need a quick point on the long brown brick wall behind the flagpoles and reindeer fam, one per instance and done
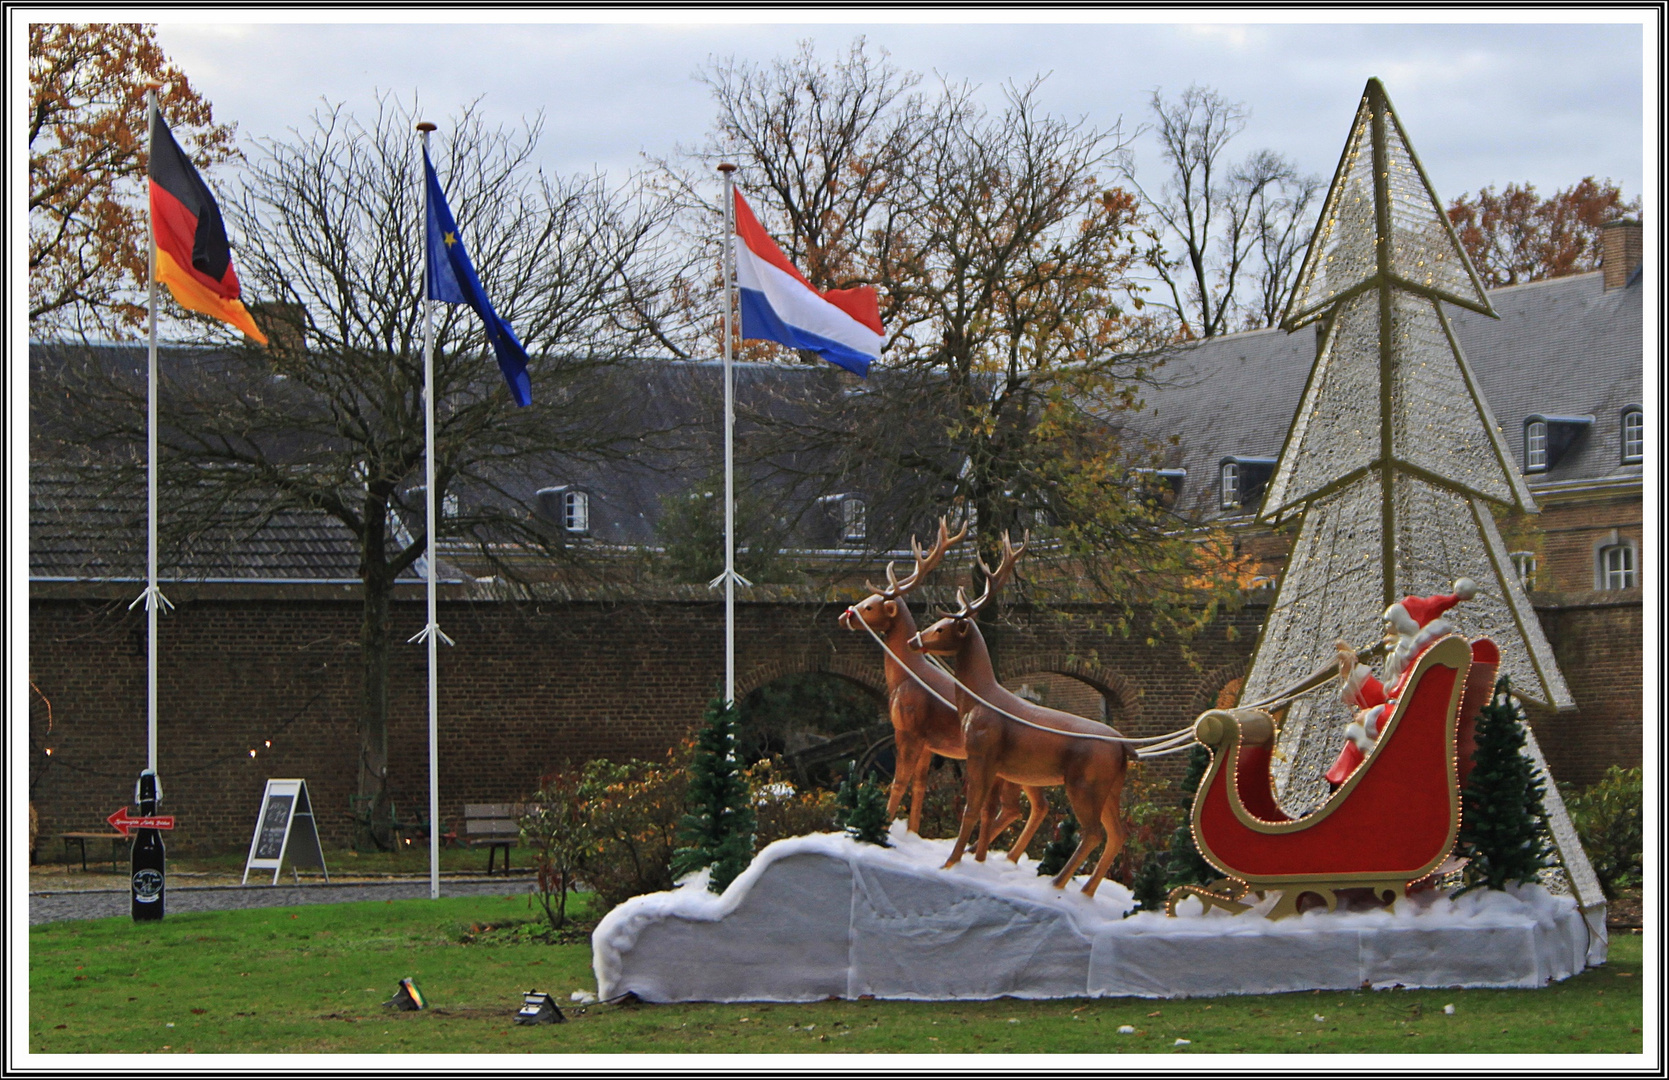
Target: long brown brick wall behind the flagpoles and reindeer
(532, 685)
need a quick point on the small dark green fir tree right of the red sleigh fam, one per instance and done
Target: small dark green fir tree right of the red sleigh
(1503, 825)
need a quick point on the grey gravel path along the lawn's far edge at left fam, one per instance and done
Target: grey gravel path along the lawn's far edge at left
(108, 904)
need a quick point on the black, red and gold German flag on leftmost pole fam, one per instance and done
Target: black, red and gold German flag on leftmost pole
(194, 258)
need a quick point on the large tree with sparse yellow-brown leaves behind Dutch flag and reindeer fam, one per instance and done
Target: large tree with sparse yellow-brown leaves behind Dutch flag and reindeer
(1017, 333)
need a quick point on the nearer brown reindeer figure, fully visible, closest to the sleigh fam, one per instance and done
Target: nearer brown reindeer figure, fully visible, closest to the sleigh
(1037, 754)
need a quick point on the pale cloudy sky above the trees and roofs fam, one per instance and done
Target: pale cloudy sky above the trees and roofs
(1485, 103)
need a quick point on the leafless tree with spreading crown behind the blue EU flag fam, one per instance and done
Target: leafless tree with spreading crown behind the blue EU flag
(331, 420)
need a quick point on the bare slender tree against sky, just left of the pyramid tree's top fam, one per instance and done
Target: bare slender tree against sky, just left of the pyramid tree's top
(1224, 223)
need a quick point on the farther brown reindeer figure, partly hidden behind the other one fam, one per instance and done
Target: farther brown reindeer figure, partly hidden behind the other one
(922, 724)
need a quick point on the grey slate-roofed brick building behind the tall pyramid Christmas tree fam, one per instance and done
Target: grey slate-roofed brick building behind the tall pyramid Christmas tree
(1563, 375)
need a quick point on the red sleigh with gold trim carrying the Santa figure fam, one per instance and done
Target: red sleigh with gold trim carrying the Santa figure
(1388, 827)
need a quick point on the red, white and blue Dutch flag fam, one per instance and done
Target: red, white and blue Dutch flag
(844, 326)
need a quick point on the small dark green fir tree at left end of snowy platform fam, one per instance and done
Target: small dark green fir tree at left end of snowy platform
(719, 829)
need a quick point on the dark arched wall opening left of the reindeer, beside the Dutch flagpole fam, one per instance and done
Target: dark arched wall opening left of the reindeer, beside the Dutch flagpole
(817, 722)
